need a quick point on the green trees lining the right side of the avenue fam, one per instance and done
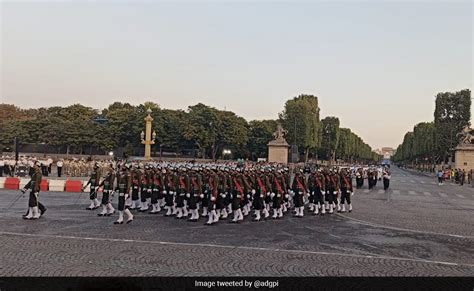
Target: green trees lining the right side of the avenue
(434, 142)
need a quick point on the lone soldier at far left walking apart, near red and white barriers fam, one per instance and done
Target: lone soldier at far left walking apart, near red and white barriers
(35, 208)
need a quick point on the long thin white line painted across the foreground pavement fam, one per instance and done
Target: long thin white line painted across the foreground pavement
(237, 247)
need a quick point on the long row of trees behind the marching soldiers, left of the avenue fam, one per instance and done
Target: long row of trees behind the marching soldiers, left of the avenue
(201, 130)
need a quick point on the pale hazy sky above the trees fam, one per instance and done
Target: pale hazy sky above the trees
(375, 65)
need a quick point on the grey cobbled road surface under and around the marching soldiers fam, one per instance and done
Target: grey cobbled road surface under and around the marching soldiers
(416, 229)
